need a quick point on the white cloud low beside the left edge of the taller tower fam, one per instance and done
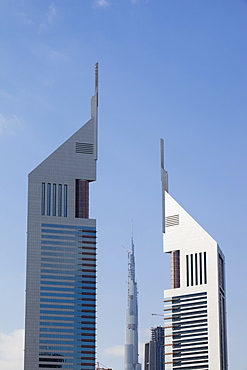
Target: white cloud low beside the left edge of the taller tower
(11, 350)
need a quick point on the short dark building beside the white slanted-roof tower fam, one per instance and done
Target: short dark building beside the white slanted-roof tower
(154, 350)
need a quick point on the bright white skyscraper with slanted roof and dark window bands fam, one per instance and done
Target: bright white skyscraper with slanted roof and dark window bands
(195, 312)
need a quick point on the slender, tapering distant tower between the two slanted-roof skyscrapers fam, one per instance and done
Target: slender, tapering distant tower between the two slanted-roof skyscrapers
(131, 345)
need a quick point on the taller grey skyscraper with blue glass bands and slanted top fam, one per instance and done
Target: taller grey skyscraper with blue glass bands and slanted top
(61, 255)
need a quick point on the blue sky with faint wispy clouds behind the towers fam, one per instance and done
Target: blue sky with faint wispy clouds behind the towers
(174, 69)
